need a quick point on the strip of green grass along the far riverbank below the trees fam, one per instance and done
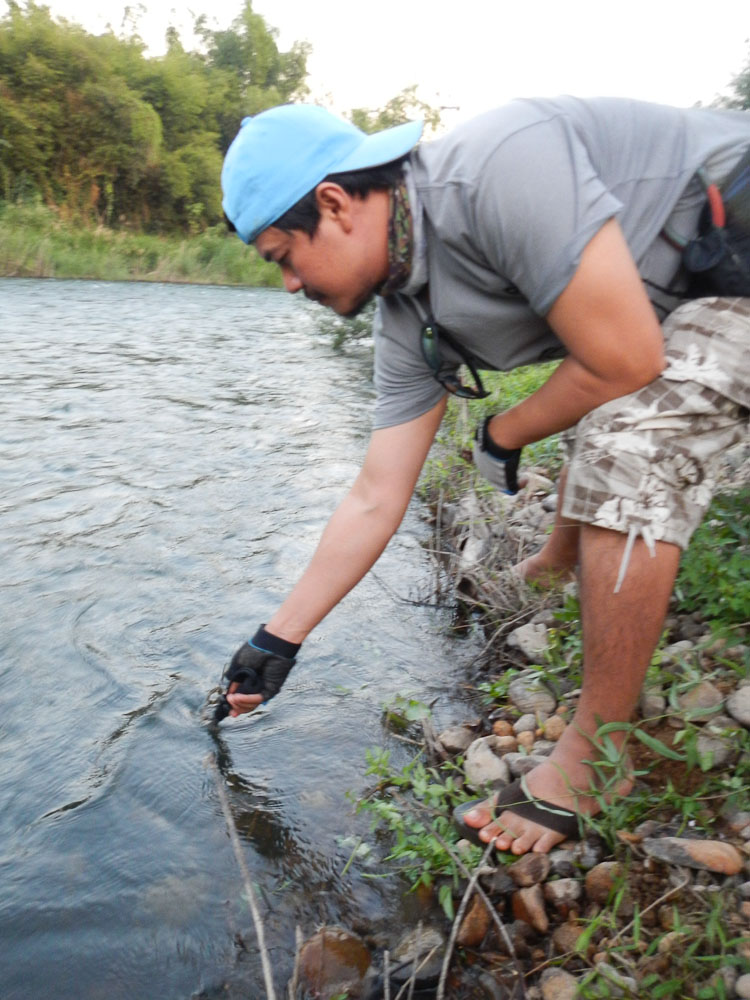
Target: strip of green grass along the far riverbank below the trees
(36, 243)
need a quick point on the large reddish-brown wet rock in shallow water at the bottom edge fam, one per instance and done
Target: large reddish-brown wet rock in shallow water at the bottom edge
(334, 961)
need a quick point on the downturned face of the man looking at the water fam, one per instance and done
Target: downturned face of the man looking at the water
(343, 264)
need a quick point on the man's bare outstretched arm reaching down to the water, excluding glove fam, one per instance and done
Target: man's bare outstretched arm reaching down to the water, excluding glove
(357, 533)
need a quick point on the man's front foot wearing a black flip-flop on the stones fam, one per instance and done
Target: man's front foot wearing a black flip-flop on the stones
(564, 781)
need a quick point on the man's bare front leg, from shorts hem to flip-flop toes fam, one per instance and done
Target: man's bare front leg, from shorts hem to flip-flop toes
(620, 633)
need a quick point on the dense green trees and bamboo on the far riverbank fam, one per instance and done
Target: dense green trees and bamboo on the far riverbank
(94, 128)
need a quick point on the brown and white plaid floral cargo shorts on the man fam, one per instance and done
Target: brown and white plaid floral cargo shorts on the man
(646, 464)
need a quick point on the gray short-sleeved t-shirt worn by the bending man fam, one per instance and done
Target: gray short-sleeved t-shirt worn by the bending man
(503, 208)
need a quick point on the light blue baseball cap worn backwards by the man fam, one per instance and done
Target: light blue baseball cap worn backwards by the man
(281, 154)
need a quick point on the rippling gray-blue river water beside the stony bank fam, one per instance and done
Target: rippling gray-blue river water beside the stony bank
(168, 457)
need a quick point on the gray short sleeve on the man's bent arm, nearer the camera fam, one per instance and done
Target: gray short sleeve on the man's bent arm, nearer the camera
(540, 201)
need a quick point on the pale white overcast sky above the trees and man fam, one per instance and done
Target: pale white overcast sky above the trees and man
(474, 54)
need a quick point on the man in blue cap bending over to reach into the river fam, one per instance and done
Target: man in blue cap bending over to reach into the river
(547, 228)
